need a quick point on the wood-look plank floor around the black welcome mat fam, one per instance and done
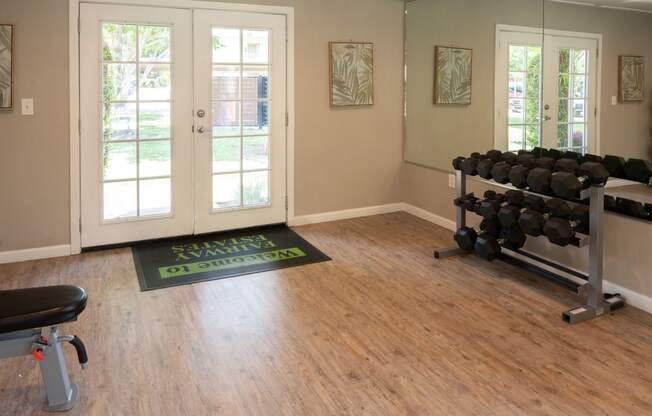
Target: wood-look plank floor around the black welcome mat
(380, 330)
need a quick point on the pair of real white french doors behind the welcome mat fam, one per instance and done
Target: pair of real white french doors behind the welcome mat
(171, 144)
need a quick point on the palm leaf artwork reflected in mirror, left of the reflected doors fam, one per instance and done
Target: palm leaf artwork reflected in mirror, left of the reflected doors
(453, 75)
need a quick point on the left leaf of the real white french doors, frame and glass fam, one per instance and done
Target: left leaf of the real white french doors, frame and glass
(136, 142)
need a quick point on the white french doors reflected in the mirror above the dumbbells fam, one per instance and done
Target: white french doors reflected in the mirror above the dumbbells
(546, 91)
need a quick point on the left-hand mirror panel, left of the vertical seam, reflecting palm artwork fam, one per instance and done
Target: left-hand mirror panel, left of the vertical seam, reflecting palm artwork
(453, 48)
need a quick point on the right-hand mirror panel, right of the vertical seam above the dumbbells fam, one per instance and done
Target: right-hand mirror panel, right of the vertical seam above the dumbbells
(598, 79)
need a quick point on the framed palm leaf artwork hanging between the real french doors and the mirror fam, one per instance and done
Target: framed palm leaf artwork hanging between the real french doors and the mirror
(352, 73)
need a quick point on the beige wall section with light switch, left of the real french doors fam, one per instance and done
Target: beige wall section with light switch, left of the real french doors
(34, 174)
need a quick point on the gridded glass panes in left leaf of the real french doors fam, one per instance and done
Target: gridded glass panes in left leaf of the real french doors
(150, 67)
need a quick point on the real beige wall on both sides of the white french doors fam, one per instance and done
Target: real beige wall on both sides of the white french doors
(345, 158)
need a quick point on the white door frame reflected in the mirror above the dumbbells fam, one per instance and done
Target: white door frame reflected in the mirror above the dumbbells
(500, 28)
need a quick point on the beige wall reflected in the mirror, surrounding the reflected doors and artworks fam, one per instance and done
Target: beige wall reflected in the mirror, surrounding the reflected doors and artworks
(436, 134)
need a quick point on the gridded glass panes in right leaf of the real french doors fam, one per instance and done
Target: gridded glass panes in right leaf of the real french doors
(241, 133)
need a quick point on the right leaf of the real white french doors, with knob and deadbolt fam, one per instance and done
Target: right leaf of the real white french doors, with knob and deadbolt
(240, 119)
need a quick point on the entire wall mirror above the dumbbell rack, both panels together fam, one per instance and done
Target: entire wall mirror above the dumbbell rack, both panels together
(515, 74)
